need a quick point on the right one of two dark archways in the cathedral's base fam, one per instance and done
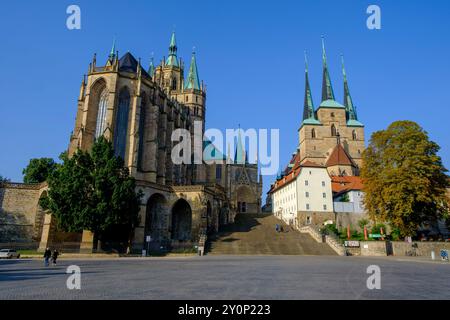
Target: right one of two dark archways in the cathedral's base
(181, 221)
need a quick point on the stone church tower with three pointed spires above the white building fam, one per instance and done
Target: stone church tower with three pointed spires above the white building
(331, 136)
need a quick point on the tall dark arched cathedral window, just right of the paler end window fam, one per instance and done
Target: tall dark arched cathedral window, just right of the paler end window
(121, 126)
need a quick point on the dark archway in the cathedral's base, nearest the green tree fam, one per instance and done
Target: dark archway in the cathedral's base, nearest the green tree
(154, 216)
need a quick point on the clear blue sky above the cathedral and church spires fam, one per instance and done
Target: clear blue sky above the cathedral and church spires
(250, 54)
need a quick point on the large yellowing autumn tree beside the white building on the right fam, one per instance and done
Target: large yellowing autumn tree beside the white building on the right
(404, 179)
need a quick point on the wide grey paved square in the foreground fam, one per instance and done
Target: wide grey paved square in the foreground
(227, 277)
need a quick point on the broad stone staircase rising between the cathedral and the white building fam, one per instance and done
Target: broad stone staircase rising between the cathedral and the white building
(254, 234)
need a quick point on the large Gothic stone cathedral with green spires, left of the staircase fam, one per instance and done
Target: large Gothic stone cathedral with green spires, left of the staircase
(137, 109)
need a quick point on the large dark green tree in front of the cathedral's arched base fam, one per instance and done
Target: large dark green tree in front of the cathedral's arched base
(93, 191)
